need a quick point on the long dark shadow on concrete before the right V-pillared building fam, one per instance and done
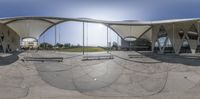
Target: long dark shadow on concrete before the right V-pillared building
(186, 59)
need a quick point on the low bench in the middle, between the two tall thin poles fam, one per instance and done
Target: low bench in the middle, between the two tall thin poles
(97, 57)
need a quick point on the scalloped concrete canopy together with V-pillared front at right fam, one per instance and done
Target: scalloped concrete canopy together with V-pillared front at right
(149, 30)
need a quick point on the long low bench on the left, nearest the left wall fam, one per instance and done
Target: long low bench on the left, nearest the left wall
(42, 59)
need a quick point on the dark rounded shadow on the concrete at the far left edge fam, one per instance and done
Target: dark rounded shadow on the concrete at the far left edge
(6, 60)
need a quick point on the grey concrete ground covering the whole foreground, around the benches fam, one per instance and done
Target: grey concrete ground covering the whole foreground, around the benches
(130, 75)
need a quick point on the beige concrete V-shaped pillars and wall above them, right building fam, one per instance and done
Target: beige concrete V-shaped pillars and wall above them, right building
(173, 30)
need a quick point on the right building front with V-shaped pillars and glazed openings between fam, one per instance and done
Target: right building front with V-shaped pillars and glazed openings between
(181, 37)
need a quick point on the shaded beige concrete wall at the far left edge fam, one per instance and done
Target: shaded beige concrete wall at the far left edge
(9, 39)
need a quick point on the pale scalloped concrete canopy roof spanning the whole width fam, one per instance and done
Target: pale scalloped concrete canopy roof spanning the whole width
(36, 26)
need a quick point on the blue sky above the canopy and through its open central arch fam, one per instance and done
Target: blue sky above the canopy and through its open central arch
(98, 9)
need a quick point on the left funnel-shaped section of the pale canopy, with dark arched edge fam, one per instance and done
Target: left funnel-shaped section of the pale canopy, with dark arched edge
(30, 26)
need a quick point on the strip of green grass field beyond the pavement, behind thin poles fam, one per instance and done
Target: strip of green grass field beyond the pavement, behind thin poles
(89, 49)
